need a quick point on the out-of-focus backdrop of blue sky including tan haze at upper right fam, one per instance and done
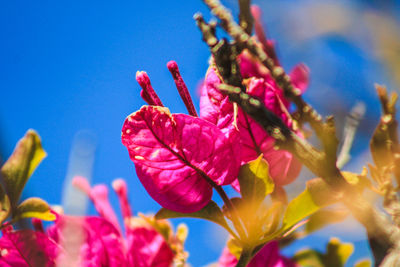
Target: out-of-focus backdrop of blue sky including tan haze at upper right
(67, 70)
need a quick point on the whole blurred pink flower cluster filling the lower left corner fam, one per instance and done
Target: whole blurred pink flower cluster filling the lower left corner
(93, 241)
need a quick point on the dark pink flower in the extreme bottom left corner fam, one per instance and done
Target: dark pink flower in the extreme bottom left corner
(26, 248)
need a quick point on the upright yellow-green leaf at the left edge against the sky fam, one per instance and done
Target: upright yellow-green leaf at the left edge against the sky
(19, 167)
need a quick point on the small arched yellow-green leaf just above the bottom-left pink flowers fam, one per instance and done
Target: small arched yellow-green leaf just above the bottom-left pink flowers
(34, 208)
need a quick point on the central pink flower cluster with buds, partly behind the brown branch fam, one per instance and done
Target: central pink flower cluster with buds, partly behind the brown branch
(179, 157)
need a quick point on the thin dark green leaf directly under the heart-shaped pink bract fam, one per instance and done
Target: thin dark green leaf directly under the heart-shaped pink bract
(210, 212)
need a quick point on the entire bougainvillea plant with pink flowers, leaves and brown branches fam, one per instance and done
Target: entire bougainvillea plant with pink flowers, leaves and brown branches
(249, 134)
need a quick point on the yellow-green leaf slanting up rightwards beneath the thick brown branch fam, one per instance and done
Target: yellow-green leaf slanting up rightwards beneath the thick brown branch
(317, 195)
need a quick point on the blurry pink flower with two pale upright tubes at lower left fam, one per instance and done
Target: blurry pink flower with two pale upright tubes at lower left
(103, 243)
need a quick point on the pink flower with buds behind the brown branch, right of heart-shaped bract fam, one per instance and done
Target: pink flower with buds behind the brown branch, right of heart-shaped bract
(216, 108)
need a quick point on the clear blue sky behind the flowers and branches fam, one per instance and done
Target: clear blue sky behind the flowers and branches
(69, 66)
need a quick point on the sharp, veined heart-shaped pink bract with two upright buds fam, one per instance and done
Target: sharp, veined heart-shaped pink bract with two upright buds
(178, 157)
